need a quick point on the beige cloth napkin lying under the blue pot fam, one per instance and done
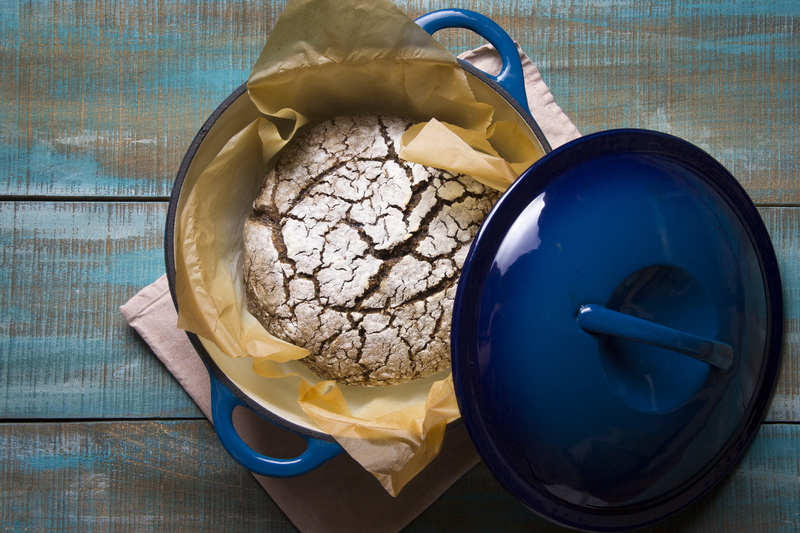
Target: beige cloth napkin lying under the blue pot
(340, 496)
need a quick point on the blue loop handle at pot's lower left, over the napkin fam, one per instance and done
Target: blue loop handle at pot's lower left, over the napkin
(223, 401)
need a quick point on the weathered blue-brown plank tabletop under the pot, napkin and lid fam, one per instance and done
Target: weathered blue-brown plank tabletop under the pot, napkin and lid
(99, 102)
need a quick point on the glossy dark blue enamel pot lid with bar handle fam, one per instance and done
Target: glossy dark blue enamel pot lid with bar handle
(617, 330)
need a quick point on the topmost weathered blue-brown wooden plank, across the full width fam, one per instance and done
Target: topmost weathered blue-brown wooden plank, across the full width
(103, 98)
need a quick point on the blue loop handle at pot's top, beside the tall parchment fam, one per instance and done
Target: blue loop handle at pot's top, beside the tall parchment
(511, 78)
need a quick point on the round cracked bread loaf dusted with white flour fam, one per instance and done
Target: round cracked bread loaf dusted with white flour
(354, 254)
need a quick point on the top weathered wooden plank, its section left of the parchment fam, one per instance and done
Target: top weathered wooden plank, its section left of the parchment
(103, 98)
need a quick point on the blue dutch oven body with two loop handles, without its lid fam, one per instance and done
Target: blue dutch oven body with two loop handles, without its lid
(233, 383)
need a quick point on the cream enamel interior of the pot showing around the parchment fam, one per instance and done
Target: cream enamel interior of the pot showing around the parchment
(276, 399)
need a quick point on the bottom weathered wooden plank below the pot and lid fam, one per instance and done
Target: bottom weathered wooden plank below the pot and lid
(174, 476)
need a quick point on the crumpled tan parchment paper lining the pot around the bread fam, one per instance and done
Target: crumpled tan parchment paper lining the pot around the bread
(325, 59)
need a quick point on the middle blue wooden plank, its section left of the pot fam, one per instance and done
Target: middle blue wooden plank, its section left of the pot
(65, 350)
